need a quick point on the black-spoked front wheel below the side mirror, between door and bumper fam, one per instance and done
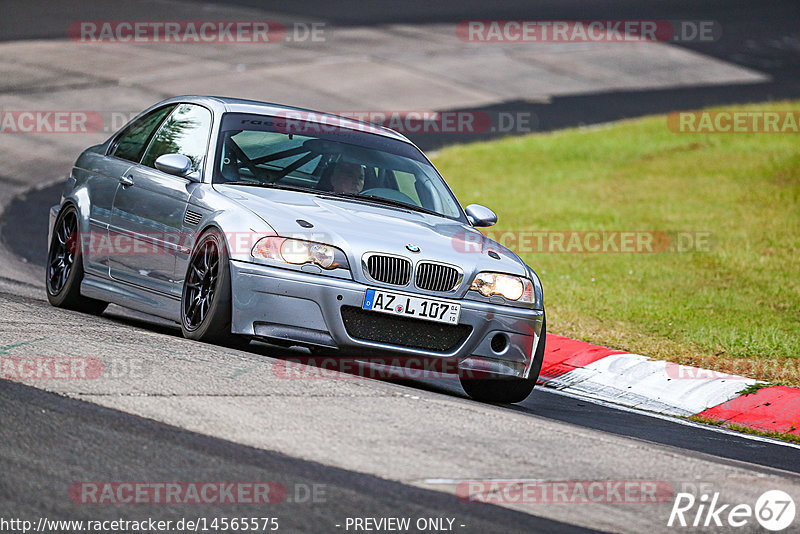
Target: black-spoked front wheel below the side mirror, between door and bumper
(206, 296)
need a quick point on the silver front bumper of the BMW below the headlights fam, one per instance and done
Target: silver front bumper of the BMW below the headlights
(298, 308)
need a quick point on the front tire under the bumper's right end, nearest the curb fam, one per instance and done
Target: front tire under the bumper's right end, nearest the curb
(483, 388)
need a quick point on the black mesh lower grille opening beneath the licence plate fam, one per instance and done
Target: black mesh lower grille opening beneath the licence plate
(402, 331)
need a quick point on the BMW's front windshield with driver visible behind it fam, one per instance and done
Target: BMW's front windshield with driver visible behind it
(265, 151)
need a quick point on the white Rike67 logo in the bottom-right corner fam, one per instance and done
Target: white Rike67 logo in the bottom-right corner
(774, 510)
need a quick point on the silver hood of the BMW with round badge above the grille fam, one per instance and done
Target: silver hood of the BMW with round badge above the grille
(358, 227)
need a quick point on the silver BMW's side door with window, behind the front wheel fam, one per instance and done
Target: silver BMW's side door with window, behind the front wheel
(148, 210)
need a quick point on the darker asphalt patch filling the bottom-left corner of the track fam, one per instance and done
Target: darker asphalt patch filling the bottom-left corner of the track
(92, 441)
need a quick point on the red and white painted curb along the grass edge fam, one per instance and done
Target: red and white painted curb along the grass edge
(632, 380)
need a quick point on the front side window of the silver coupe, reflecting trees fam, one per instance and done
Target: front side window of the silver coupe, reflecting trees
(185, 132)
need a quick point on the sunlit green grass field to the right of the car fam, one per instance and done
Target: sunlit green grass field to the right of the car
(735, 308)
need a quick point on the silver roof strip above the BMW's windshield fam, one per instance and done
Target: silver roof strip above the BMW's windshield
(241, 105)
